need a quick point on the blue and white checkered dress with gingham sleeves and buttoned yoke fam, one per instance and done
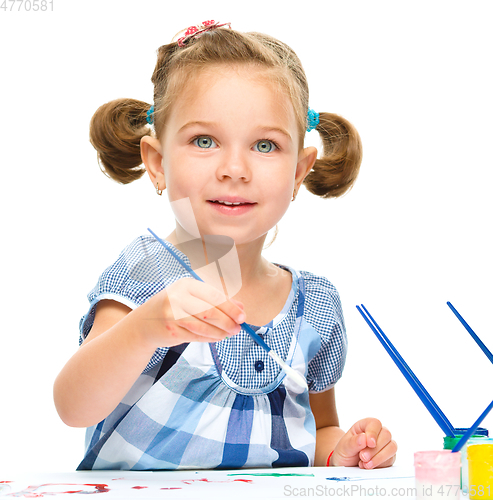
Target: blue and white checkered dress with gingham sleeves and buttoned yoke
(220, 405)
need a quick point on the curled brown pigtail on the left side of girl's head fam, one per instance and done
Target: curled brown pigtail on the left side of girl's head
(115, 132)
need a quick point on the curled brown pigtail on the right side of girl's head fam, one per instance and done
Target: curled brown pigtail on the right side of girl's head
(334, 174)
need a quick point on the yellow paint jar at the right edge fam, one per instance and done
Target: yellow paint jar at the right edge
(480, 459)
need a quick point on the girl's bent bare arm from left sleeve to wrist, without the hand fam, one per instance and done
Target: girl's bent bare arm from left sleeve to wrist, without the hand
(100, 373)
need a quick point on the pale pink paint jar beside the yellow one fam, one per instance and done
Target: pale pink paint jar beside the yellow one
(437, 474)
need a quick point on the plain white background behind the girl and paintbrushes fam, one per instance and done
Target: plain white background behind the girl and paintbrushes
(414, 78)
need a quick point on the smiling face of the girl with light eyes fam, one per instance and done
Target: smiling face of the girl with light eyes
(231, 136)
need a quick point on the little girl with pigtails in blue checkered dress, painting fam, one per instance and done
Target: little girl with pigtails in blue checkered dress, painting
(161, 390)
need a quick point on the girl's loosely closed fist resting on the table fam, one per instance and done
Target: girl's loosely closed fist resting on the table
(367, 444)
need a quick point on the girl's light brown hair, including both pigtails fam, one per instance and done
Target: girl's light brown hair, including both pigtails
(118, 126)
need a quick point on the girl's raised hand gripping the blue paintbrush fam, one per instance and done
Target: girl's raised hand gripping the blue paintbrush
(189, 311)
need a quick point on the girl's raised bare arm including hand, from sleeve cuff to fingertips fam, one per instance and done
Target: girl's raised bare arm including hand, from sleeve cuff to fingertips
(121, 342)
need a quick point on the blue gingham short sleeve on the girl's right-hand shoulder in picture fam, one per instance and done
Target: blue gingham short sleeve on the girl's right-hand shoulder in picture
(323, 311)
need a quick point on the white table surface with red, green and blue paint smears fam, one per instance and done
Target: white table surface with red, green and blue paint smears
(310, 482)
